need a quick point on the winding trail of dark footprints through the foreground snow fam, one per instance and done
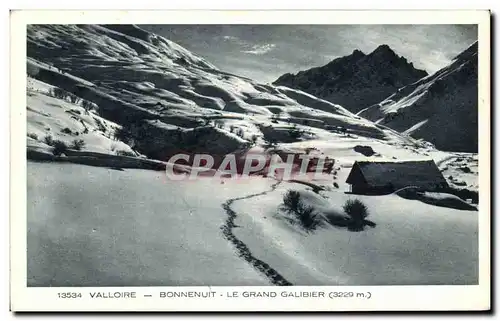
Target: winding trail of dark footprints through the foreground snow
(241, 248)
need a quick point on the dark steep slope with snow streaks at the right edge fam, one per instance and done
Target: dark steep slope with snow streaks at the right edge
(441, 108)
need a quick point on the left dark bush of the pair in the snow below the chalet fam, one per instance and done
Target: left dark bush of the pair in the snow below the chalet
(302, 213)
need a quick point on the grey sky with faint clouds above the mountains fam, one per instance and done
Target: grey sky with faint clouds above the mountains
(265, 52)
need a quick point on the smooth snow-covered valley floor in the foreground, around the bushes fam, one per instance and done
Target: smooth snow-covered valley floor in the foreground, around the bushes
(92, 226)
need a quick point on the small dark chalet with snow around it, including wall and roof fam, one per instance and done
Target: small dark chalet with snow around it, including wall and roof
(387, 177)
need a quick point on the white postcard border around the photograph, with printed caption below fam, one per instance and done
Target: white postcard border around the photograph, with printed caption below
(383, 298)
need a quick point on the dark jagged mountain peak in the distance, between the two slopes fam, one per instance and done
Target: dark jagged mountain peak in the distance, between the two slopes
(357, 80)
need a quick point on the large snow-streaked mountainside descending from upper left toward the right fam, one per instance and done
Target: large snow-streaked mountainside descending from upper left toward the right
(166, 97)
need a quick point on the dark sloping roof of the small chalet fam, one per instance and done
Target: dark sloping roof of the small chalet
(399, 174)
